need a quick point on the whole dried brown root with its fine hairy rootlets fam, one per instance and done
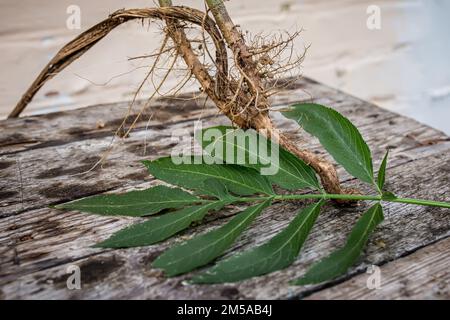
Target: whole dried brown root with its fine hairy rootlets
(237, 73)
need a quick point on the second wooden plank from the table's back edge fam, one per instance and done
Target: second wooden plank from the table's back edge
(34, 178)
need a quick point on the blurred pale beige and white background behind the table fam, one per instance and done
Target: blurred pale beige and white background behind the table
(403, 65)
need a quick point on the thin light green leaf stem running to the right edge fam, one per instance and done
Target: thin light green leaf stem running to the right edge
(327, 196)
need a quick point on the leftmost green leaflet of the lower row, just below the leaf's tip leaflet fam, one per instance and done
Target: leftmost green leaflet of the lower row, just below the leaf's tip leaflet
(159, 228)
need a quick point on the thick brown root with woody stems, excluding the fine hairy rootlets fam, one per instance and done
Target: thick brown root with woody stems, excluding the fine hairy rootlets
(247, 108)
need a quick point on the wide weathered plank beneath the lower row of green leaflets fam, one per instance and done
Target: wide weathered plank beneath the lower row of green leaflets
(42, 243)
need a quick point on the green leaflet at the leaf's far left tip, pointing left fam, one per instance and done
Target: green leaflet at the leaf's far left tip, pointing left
(133, 203)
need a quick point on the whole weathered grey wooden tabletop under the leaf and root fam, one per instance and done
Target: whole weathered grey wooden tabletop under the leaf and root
(47, 160)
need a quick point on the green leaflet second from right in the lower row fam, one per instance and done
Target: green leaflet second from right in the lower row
(278, 253)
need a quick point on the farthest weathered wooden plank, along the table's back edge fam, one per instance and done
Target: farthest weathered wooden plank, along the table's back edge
(102, 120)
